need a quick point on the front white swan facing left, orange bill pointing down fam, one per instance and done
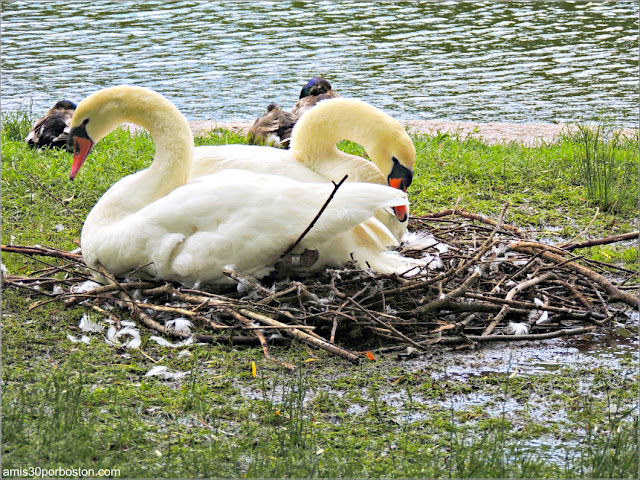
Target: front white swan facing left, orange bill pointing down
(159, 223)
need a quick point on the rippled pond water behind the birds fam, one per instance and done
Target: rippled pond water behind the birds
(225, 60)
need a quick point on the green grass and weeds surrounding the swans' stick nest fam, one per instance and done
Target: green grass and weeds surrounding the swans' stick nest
(69, 404)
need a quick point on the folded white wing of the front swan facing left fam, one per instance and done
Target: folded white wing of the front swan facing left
(232, 218)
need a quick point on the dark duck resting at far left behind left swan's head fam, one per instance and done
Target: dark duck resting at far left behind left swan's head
(52, 130)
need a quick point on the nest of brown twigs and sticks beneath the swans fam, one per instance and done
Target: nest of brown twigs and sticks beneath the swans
(493, 283)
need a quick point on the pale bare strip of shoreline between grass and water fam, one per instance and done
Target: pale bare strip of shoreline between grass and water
(528, 134)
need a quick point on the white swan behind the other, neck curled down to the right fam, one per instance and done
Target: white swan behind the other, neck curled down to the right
(314, 157)
